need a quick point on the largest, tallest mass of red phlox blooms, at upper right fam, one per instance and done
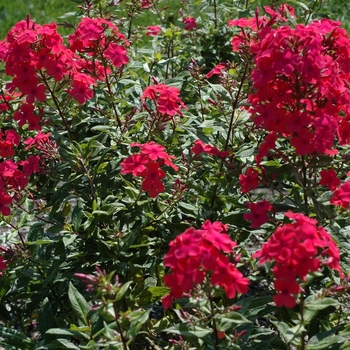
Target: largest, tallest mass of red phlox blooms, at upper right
(301, 77)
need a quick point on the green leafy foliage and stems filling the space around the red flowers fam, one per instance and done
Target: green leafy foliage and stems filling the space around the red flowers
(85, 243)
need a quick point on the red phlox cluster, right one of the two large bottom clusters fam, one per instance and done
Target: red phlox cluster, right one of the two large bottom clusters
(298, 249)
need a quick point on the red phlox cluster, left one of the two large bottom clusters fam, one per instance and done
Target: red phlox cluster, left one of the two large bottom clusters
(195, 253)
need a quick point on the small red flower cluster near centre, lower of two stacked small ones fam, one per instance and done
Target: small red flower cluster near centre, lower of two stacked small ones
(147, 165)
